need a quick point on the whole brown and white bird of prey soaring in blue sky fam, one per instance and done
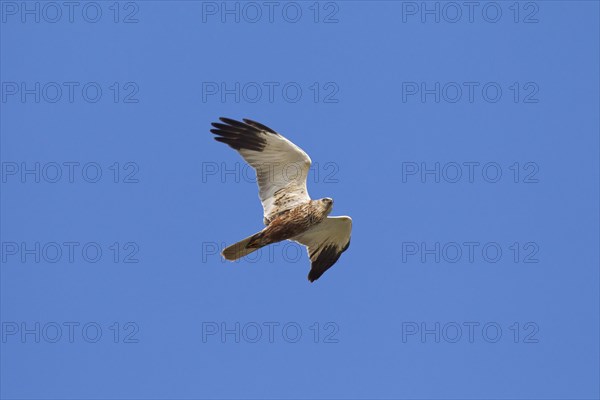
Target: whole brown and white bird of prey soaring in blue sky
(289, 213)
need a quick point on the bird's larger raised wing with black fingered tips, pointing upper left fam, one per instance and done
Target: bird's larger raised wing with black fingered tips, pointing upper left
(281, 166)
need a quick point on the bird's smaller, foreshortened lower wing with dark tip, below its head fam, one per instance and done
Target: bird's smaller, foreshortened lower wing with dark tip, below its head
(325, 243)
